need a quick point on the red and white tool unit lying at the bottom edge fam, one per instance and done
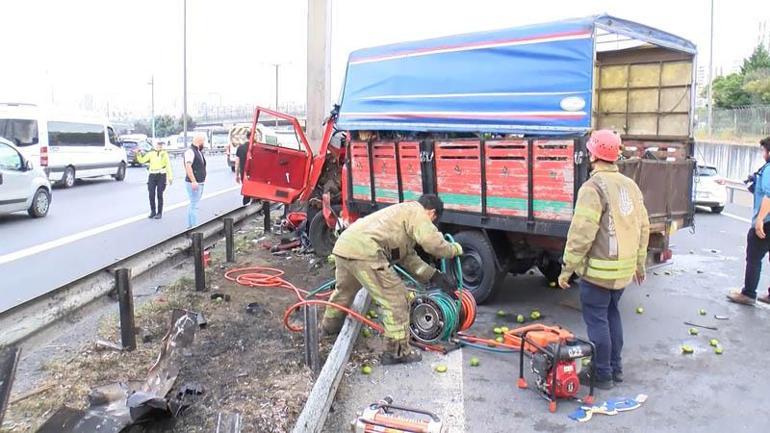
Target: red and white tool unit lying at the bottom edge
(384, 416)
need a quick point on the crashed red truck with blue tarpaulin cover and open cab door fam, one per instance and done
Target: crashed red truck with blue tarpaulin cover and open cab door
(495, 123)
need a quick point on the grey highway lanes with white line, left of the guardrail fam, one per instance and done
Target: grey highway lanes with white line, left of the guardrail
(97, 223)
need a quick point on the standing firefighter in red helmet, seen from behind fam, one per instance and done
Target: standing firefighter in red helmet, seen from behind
(607, 248)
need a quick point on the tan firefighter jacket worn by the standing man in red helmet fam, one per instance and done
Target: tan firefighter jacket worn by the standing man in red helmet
(607, 240)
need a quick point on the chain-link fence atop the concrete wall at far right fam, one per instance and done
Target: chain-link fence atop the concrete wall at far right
(737, 124)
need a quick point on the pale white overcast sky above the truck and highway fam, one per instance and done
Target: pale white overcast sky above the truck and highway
(98, 53)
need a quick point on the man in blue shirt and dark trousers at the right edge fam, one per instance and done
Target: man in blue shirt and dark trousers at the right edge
(757, 242)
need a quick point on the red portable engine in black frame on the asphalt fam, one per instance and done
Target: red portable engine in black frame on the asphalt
(554, 352)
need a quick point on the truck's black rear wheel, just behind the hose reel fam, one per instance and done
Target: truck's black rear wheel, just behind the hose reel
(480, 274)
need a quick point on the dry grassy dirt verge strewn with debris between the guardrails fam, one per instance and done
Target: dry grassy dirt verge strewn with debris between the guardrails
(248, 363)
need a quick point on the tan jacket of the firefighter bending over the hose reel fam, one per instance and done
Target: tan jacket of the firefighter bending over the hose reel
(390, 235)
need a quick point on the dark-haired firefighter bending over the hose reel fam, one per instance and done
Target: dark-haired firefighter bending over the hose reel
(364, 255)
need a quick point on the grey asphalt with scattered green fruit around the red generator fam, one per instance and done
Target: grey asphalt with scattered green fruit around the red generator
(702, 392)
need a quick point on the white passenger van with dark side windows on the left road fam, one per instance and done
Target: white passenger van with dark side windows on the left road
(67, 147)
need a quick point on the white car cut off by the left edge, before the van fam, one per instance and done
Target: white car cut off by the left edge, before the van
(23, 186)
